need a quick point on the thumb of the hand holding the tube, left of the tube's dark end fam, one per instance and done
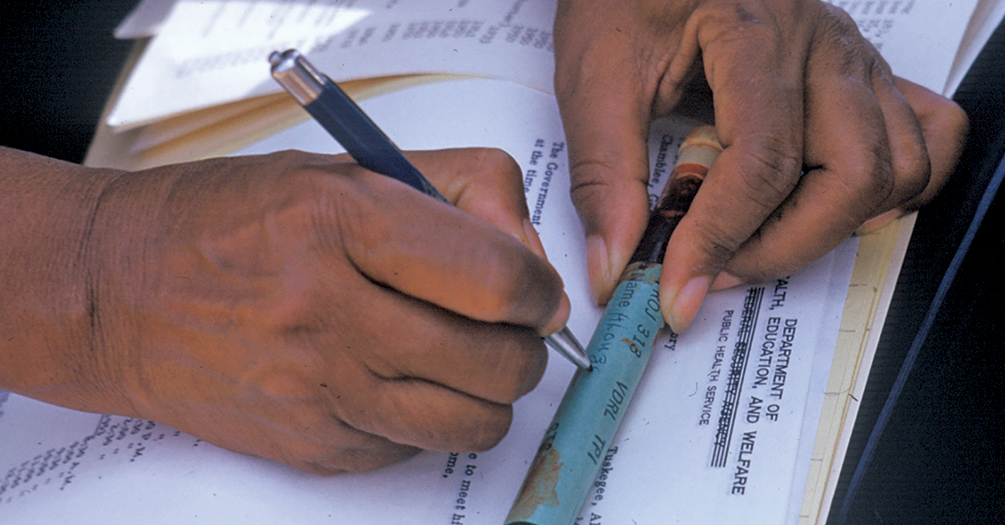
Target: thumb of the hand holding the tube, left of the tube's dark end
(607, 119)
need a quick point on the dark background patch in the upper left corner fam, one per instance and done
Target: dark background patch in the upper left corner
(60, 64)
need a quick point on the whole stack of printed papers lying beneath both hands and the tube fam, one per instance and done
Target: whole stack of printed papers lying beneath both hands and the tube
(199, 86)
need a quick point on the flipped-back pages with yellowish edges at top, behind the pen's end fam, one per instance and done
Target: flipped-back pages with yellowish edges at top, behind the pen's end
(200, 88)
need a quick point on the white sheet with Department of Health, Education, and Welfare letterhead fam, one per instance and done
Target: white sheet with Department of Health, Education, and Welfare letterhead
(59, 466)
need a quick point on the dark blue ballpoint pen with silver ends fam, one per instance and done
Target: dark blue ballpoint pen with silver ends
(371, 148)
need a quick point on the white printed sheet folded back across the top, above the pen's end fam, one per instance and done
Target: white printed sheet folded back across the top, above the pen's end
(212, 53)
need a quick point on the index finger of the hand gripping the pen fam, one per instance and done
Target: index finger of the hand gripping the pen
(447, 257)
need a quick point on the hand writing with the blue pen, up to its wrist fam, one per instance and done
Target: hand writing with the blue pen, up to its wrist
(309, 311)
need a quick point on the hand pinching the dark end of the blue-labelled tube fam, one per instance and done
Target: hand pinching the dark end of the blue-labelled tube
(822, 140)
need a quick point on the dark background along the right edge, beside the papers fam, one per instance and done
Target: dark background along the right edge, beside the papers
(939, 458)
